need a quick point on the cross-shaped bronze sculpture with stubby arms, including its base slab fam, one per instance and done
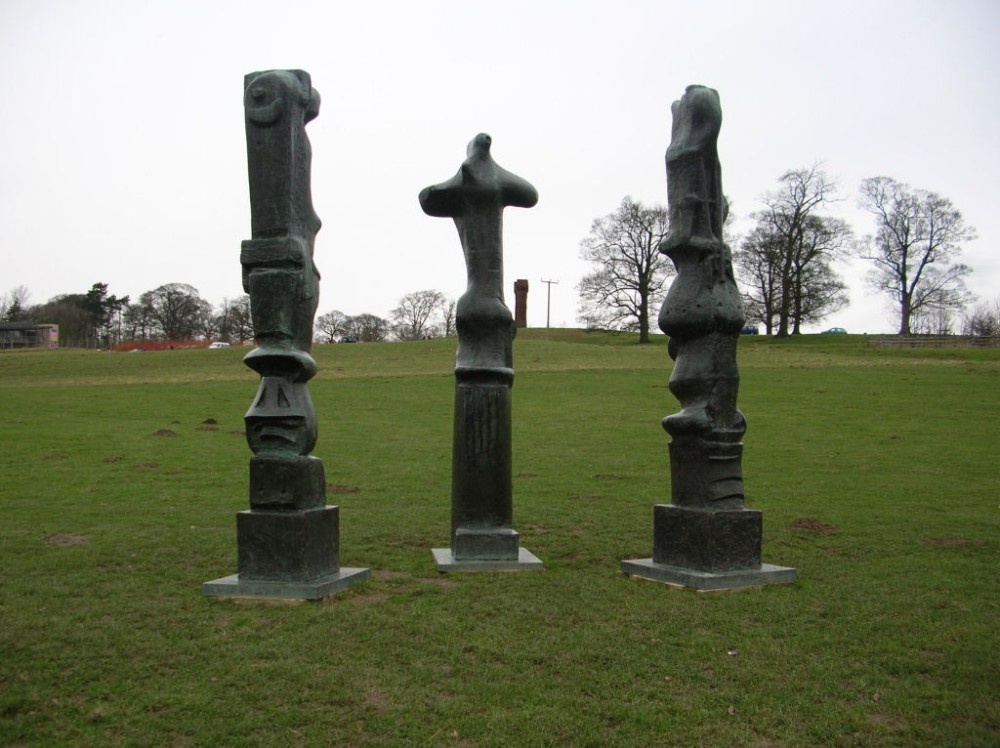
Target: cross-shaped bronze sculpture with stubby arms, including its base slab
(482, 534)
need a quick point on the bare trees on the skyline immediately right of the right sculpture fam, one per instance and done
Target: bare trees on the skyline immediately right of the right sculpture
(785, 261)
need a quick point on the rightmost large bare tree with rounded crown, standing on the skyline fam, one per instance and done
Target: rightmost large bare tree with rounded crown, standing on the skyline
(917, 238)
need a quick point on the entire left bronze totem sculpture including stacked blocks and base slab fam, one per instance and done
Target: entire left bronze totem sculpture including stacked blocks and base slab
(289, 540)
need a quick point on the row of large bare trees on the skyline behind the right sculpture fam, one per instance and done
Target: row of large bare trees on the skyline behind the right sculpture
(786, 264)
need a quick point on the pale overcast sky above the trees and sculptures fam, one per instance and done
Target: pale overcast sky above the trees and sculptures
(123, 150)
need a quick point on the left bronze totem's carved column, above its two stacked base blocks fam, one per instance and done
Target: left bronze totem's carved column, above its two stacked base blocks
(278, 269)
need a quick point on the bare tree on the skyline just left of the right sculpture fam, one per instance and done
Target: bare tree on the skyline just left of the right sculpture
(631, 273)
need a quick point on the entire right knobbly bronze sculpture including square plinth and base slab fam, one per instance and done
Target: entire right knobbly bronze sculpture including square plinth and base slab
(705, 538)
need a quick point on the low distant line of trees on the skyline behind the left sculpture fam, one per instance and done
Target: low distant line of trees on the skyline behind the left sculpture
(177, 312)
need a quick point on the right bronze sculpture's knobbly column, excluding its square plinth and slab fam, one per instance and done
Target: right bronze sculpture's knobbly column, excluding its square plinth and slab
(702, 314)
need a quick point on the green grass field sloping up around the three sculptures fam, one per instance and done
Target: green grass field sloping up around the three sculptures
(876, 471)
